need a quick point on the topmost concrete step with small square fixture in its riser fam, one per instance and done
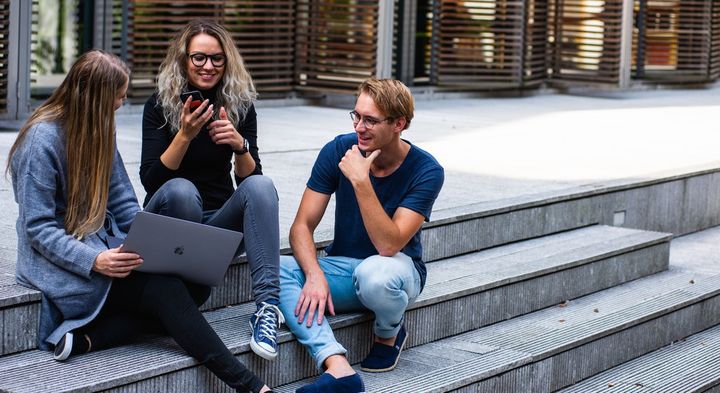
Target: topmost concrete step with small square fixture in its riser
(676, 202)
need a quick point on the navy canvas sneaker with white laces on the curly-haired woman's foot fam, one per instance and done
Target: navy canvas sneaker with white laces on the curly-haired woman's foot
(264, 325)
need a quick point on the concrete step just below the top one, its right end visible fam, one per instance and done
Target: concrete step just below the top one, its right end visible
(503, 282)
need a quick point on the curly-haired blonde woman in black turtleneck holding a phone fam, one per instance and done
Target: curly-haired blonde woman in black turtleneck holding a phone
(193, 148)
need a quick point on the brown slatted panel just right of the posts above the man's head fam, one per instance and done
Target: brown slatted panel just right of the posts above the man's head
(480, 43)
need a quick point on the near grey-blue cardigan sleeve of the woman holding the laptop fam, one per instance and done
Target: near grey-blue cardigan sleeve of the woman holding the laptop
(37, 181)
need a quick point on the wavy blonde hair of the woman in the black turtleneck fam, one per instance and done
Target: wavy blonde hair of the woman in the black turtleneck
(236, 92)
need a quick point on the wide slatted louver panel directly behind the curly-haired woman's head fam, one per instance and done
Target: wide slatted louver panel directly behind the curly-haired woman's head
(262, 30)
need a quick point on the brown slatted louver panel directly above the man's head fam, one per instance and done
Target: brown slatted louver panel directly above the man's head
(336, 43)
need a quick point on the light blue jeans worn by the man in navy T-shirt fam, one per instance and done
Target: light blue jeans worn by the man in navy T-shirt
(384, 285)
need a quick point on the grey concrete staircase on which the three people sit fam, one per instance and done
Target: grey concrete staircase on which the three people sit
(533, 294)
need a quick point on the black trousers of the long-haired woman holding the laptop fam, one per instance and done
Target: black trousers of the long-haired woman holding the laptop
(158, 303)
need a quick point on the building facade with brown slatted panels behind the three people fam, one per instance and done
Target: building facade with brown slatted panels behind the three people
(308, 47)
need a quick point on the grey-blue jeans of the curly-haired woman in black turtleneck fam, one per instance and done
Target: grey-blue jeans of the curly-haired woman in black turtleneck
(252, 209)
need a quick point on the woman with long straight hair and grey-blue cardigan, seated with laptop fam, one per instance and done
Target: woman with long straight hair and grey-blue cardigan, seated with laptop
(76, 203)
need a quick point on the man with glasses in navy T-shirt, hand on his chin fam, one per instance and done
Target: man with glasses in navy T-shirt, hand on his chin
(384, 190)
